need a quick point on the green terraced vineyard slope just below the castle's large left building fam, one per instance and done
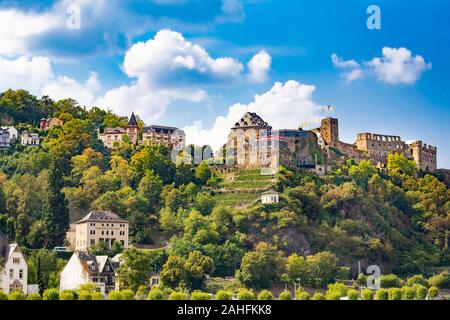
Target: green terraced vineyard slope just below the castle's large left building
(241, 188)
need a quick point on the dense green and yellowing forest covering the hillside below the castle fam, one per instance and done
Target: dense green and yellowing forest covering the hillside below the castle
(398, 218)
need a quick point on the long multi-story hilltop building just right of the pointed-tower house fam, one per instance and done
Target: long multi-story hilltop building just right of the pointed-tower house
(162, 135)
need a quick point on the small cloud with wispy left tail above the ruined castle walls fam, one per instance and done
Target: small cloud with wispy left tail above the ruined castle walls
(396, 66)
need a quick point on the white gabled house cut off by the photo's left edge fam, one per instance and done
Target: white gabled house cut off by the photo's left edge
(14, 275)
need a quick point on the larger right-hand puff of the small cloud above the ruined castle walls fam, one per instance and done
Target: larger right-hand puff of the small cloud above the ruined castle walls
(399, 66)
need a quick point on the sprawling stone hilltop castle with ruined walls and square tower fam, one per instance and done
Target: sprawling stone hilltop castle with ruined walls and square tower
(253, 143)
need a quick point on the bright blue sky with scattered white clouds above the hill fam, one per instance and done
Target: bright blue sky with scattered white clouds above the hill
(398, 91)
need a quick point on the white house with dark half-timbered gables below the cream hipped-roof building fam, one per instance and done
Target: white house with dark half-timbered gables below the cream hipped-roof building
(84, 268)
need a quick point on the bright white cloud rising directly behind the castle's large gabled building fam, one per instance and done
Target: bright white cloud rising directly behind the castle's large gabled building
(283, 106)
